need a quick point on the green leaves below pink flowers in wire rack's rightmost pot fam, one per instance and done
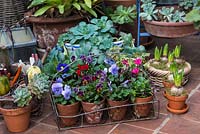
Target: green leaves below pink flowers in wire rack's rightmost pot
(140, 87)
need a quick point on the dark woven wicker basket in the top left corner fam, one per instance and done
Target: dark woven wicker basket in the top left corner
(11, 11)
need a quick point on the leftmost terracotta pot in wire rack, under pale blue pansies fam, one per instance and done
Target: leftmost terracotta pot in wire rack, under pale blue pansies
(69, 110)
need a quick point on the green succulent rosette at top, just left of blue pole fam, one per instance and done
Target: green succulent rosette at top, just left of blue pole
(124, 15)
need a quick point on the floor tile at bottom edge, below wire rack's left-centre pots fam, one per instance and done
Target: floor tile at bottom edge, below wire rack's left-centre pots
(96, 130)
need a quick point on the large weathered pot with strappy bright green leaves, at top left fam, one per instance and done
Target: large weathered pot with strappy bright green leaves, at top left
(51, 18)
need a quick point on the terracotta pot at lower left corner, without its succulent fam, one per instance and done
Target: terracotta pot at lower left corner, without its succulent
(17, 120)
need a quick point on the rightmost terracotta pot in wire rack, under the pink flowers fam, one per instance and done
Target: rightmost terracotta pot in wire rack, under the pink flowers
(143, 110)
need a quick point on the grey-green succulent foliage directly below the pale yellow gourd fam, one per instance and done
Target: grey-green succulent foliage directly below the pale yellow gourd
(39, 85)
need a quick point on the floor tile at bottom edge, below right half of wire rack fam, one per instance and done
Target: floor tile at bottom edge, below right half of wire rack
(127, 129)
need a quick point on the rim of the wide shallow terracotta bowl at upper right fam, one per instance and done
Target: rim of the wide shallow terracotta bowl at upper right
(166, 24)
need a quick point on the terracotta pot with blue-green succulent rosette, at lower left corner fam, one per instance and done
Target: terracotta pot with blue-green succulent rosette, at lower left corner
(16, 113)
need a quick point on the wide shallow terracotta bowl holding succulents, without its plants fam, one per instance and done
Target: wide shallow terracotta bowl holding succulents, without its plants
(169, 29)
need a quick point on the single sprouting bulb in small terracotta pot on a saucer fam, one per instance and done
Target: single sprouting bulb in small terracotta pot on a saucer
(177, 95)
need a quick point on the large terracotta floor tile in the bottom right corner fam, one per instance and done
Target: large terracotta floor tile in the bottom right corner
(177, 125)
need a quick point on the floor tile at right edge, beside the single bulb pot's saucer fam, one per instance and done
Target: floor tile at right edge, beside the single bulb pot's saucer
(193, 113)
